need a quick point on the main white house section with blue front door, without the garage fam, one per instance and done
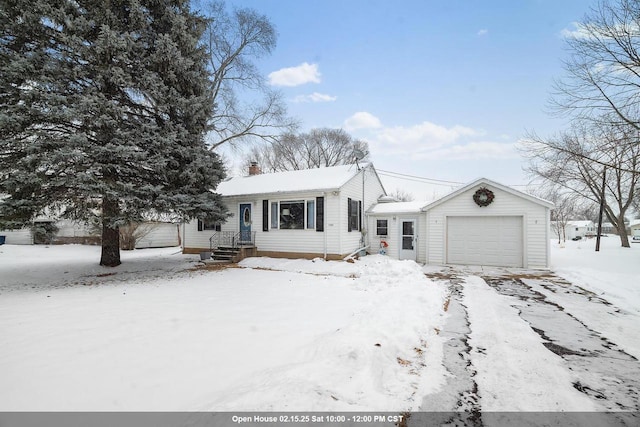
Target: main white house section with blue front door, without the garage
(301, 214)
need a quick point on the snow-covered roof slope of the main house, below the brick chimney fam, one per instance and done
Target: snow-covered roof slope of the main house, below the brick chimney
(331, 178)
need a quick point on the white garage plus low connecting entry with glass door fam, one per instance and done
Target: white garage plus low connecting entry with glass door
(481, 223)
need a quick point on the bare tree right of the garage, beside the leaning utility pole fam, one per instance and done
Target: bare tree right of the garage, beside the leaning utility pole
(574, 160)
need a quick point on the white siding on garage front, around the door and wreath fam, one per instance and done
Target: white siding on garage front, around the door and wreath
(535, 223)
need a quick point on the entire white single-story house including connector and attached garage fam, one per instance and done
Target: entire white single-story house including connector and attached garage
(321, 213)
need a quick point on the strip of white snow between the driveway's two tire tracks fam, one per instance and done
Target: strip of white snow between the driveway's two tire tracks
(530, 378)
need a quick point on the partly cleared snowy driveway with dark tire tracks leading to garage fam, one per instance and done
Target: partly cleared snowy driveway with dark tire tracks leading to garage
(605, 373)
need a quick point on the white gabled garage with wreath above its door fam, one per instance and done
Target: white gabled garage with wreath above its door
(487, 223)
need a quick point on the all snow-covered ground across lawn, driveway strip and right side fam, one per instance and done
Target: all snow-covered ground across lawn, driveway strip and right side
(158, 333)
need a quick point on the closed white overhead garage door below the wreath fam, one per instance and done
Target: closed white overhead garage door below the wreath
(485, 240)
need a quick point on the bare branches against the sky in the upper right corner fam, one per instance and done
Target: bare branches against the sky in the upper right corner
(603, 70)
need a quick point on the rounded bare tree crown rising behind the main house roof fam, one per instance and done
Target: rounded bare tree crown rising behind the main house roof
(314, 149)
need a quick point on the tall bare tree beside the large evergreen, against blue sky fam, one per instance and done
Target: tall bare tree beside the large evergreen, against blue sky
(234, 40)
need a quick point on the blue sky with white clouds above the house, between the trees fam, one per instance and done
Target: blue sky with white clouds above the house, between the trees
(439, 89)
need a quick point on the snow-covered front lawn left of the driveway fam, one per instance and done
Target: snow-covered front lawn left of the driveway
(156, 334)
